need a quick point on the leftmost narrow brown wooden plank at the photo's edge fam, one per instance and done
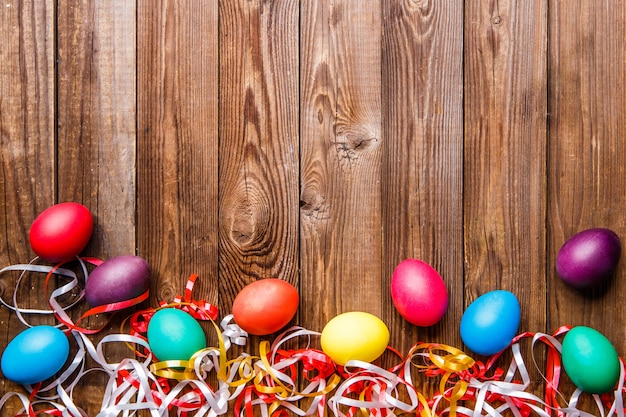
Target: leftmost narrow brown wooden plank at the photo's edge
(27, 180)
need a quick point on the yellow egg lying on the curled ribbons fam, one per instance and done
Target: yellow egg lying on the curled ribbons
(354, 336)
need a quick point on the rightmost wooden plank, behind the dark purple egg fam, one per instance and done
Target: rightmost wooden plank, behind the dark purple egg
(587, 106)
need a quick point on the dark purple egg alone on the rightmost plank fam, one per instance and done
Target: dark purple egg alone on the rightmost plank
(589, 257)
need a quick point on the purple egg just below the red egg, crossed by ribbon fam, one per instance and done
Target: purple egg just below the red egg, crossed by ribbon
(118, 279)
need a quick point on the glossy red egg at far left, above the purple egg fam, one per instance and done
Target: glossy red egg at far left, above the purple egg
(61, 232)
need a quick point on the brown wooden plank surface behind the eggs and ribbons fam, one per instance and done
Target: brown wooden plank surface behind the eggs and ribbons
(320, 142)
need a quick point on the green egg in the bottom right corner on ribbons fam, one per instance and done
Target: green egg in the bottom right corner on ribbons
(590, 360)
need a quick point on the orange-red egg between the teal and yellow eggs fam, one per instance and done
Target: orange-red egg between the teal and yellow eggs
(265, 306)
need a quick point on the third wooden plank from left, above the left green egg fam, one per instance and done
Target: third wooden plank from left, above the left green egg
(177, 145)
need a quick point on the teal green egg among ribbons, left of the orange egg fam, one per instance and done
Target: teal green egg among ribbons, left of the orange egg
(175, 335)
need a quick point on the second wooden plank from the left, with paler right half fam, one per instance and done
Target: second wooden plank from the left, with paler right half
(96, 141)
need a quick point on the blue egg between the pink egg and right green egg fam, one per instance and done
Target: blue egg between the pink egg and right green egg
(490, 323)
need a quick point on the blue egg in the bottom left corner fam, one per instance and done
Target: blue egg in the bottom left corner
(35, 355)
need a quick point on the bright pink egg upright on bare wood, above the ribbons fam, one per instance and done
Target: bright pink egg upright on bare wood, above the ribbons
(418, 293)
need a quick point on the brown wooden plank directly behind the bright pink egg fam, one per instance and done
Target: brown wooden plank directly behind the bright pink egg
(423, 157)
